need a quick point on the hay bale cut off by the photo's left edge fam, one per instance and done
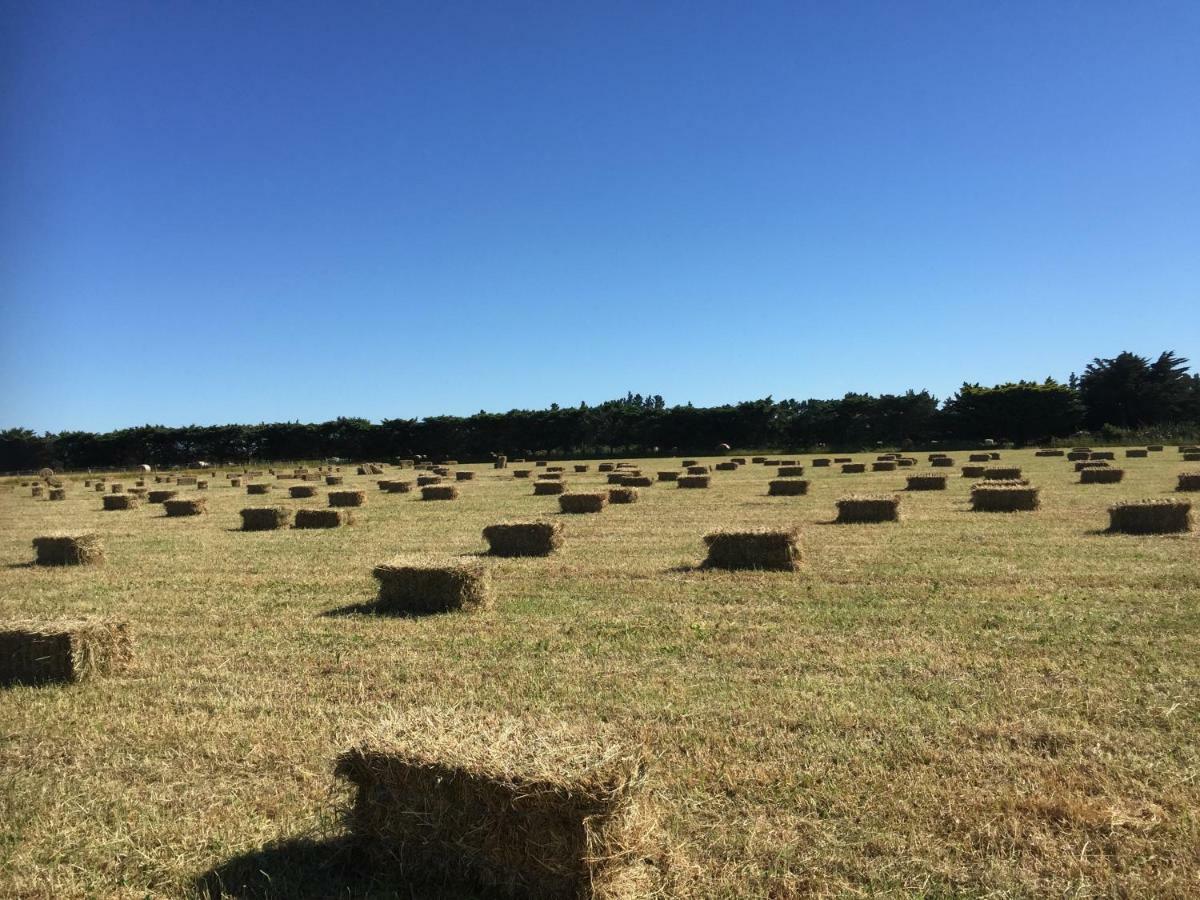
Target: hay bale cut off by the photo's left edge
(37, 652)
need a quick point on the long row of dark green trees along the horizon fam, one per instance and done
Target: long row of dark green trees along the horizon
(1114, 395)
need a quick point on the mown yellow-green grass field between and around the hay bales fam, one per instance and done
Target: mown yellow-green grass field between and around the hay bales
(959, 705)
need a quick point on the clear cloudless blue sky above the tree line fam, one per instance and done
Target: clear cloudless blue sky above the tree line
(247, 212)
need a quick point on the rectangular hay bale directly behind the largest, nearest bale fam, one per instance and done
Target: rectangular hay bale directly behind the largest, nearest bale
(427, 585)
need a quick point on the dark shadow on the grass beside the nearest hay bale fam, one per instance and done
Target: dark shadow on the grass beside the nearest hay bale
(308, 869)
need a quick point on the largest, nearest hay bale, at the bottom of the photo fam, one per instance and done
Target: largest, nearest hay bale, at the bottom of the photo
(523, 808)
